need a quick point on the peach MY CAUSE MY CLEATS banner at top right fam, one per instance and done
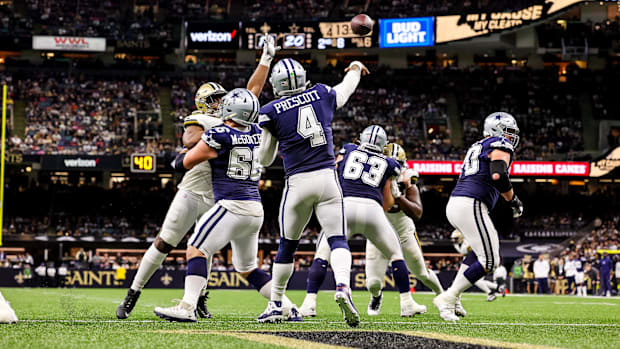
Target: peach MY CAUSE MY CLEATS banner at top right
(469, 25)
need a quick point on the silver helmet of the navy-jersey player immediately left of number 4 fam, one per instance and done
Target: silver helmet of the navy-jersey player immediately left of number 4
(239, 105)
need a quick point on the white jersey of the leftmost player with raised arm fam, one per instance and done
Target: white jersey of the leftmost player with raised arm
(198, 179)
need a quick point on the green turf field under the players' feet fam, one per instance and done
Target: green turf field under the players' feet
(62, 318)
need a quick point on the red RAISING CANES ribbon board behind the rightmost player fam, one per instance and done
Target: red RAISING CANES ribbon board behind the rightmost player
(519, 168)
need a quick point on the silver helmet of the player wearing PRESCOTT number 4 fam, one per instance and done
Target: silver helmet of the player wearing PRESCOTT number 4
(288, 77)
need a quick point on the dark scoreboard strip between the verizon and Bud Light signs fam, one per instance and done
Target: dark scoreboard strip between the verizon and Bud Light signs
(306, 35)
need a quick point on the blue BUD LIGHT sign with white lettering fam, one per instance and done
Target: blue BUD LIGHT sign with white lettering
(406, 32)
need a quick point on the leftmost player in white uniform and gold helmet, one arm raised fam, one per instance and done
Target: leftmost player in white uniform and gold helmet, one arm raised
(195, 194)
